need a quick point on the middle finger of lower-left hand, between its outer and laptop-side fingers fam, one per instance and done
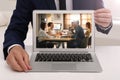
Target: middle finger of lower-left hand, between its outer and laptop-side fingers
(20, 61)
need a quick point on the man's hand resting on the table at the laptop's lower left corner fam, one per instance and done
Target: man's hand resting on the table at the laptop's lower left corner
(18, 59)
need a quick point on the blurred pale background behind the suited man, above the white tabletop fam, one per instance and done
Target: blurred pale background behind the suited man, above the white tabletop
(7, 7)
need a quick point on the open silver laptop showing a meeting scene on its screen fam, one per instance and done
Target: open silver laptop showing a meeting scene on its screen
(66, 51)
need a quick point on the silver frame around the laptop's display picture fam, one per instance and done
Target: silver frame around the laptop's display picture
(36, 12)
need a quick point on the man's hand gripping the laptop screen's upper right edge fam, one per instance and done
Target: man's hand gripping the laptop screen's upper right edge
(103, 17)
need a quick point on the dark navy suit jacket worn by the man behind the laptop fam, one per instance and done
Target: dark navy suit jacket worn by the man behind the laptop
(22, 15)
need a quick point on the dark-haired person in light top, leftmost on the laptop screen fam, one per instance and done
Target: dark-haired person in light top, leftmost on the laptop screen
(42, 34)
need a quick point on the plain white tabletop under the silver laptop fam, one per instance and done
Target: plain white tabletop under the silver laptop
(109, 57)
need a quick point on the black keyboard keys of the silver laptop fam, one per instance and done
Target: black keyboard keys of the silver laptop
(47, 57)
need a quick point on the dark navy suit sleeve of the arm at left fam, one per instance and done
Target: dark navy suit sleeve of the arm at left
(18, 27)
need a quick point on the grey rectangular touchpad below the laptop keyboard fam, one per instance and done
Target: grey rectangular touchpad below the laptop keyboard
(64, 66)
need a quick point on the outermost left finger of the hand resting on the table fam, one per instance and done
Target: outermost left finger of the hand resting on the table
(13, 63)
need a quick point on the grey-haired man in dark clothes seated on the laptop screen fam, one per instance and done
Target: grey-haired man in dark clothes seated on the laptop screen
(78, 36)
